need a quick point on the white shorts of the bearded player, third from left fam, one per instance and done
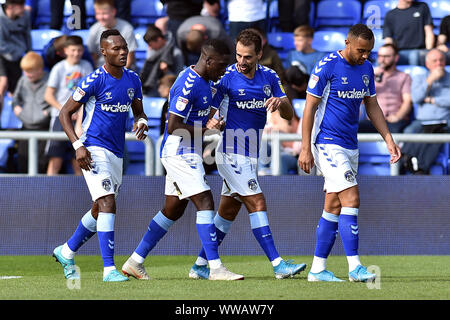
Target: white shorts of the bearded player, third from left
(239, 174)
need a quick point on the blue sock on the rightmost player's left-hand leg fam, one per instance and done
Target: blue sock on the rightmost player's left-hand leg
(326, 234)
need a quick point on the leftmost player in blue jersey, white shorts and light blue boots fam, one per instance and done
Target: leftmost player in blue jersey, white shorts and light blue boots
(107, 95)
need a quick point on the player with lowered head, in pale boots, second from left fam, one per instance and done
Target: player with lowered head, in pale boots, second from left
(189, 117)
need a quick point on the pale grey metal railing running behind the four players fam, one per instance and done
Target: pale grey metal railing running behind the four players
(153, 164)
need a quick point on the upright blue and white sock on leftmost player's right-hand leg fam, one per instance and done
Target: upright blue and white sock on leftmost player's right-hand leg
(105, 233)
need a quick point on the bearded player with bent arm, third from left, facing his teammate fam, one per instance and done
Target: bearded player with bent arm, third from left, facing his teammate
(250, 90)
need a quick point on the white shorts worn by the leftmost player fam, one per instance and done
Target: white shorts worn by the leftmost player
(105, 177)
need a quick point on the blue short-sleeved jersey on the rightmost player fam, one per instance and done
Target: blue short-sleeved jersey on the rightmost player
(342, 87)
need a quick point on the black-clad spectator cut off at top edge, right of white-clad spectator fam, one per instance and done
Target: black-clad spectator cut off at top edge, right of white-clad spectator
(293, 14)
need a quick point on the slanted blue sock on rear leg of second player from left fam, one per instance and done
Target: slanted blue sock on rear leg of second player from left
(157, 228)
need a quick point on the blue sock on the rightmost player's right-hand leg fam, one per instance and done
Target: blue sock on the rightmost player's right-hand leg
(348, 229)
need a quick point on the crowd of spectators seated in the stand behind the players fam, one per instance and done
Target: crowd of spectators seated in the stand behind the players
(39, 84)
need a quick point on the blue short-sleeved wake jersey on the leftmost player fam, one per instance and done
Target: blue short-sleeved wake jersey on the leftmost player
(107, 102)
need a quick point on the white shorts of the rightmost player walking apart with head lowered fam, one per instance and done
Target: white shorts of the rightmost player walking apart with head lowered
(339, 166)
